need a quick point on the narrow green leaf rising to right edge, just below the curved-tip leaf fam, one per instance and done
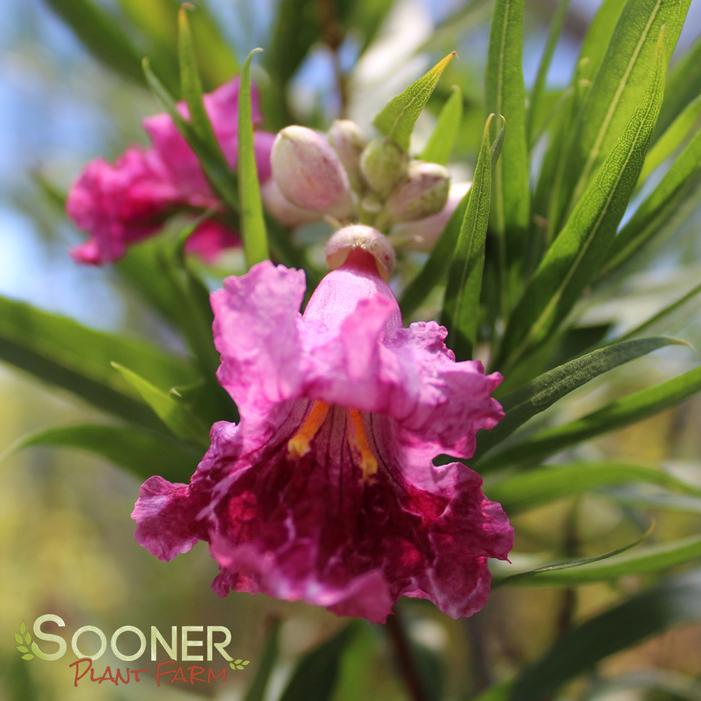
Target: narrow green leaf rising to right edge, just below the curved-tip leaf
(627, 410)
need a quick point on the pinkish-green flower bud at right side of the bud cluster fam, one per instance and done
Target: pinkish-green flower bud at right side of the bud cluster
(424, 192)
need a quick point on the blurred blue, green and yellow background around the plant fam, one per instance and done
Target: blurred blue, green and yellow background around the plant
(68, 95)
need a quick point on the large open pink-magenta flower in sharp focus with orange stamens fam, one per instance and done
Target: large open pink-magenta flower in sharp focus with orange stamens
(325, 491)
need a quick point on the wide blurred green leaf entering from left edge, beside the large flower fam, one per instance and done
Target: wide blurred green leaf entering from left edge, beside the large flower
(60, 351)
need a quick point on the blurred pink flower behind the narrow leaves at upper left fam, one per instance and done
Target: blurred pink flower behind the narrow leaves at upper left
(121, 204)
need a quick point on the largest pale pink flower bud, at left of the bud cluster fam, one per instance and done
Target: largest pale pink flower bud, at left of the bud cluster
(309, 173)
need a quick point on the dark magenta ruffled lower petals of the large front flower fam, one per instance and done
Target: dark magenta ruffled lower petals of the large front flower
(310, 530)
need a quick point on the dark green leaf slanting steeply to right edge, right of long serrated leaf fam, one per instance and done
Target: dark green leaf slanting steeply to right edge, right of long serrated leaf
(680, 181)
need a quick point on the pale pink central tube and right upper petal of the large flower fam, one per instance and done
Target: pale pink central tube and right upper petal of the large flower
(357, 354)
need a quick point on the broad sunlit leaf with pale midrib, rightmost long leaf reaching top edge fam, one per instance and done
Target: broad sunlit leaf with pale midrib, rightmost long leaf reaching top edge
(645, 28)
